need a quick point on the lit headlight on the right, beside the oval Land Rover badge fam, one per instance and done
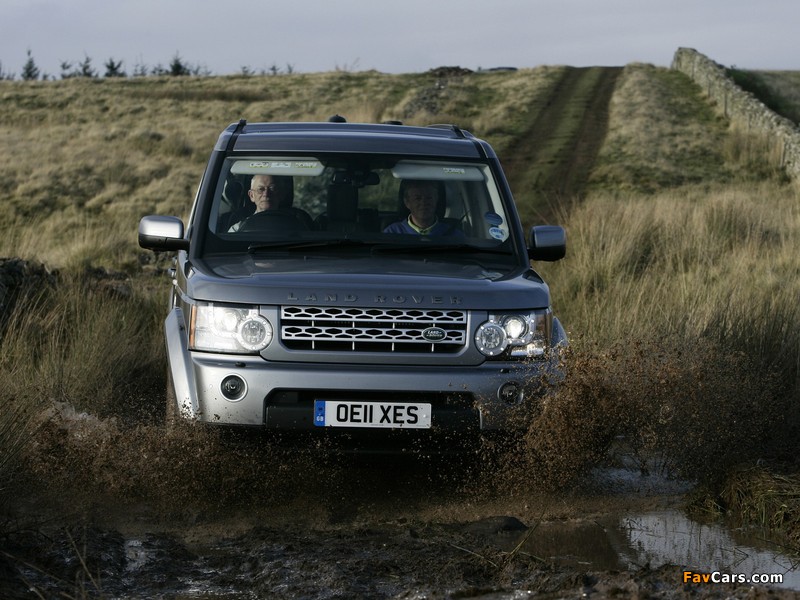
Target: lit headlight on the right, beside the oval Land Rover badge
(515, 335)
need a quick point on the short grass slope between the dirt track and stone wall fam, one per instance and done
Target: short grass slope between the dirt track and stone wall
(664, 134)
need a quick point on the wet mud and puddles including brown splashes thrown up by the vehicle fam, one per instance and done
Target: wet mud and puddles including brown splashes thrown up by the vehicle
(130, 508)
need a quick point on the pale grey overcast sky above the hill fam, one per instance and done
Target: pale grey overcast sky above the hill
(223, 36)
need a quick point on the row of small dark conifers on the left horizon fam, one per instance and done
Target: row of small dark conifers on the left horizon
(177, 67)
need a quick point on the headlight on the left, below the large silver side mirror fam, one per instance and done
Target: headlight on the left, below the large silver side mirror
(227, 328)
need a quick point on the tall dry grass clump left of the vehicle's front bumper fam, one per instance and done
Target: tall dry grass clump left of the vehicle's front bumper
(92, 339)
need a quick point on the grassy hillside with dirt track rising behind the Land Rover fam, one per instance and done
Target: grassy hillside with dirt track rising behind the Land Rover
(84, 159)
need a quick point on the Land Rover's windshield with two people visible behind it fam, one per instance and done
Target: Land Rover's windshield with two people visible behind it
(357, 203)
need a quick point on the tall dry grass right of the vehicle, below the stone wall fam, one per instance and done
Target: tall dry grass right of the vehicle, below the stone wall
(682, 306)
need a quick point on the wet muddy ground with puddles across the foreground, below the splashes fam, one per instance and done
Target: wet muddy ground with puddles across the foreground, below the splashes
(619, 533)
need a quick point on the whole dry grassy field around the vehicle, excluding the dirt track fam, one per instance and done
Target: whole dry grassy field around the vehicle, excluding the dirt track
(681, 269)
